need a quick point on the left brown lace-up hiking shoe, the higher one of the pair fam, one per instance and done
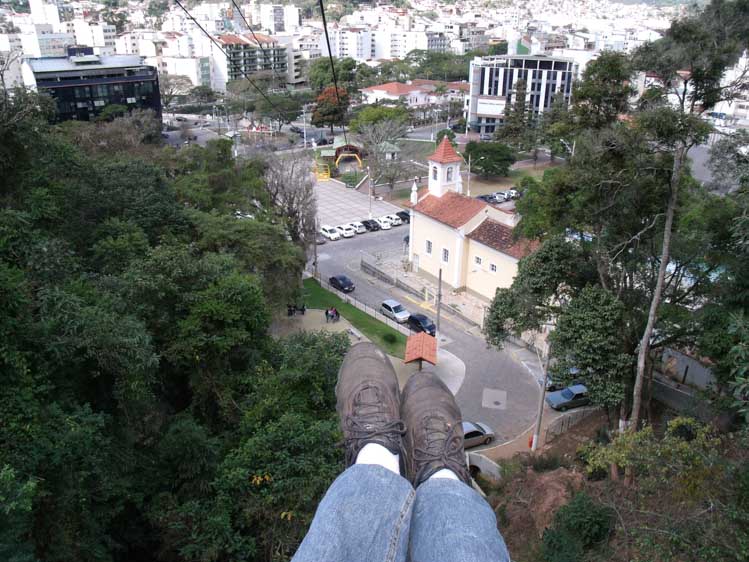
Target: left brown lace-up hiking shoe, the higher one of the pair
(368, 401)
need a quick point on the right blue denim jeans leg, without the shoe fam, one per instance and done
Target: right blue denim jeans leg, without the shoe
(452, 522)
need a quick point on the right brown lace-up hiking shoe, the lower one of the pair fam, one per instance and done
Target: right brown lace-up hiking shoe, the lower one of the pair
(434, 433)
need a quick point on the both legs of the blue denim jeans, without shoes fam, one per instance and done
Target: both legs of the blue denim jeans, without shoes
(371, 514)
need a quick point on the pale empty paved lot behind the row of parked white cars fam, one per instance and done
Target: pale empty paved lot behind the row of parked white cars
(337, 205)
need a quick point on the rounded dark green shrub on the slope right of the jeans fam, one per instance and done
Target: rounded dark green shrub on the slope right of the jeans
(585, 519)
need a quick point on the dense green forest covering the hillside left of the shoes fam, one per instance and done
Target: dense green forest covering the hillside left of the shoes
(147, 414)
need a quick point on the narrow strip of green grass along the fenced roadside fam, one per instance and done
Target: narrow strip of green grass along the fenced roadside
(392, 341)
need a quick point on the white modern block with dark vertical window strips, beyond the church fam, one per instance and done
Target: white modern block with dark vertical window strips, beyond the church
(493, 83)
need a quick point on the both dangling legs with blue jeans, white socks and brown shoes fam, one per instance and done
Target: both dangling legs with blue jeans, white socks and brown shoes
(405, 493)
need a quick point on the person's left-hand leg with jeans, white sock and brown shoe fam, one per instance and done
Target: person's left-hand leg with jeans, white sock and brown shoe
(366, 513)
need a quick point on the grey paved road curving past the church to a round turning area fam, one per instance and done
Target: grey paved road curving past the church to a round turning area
(498, 389)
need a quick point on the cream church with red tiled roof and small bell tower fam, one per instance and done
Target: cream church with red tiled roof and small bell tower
(469, 240)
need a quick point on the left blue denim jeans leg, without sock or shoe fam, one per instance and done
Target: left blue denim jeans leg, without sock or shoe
(364, 517)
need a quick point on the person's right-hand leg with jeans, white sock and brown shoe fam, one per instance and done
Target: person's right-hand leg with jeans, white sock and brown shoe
(450, 520)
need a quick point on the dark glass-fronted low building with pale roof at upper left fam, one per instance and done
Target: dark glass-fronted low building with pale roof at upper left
(83, 84)
